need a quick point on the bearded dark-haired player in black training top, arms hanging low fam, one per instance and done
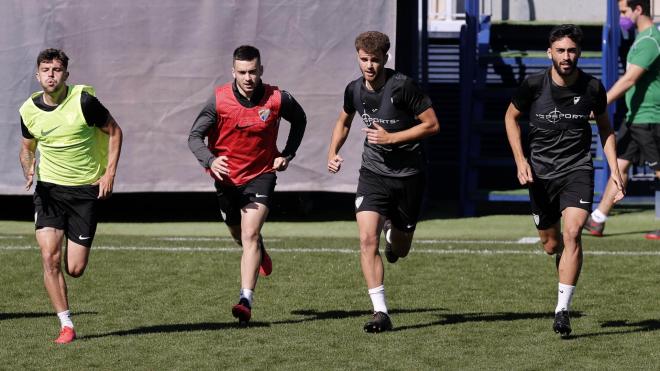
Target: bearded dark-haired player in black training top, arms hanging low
(559, 173)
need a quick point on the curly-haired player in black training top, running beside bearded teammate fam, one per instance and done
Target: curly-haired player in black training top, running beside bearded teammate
(397, 115)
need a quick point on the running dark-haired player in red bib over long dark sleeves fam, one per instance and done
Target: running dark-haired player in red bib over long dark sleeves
(241, 123)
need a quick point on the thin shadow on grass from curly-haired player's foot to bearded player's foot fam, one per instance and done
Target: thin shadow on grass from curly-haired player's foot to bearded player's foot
(457, 318)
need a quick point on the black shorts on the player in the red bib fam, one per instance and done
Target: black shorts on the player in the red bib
(233, 198)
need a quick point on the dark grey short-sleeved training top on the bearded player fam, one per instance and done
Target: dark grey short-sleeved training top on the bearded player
(560, 135)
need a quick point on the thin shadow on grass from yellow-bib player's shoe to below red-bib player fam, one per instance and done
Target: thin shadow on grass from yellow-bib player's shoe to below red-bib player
(176, 327)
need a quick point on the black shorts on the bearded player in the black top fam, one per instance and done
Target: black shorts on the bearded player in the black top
(549, 197)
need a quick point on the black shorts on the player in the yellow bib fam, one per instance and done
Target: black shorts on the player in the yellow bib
(72, 209)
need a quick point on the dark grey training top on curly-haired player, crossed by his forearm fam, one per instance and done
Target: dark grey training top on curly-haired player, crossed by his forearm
(394, 107)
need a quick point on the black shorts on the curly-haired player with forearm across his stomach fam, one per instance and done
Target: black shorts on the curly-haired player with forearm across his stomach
(397, 199)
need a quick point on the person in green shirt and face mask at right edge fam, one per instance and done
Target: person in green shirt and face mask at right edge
(638, 139)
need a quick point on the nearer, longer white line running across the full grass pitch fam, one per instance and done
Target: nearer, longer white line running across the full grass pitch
(448, 251)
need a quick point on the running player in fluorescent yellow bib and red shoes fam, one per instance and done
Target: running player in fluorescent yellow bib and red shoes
(79, 144)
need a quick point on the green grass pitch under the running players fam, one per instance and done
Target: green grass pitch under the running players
(471, 295)
